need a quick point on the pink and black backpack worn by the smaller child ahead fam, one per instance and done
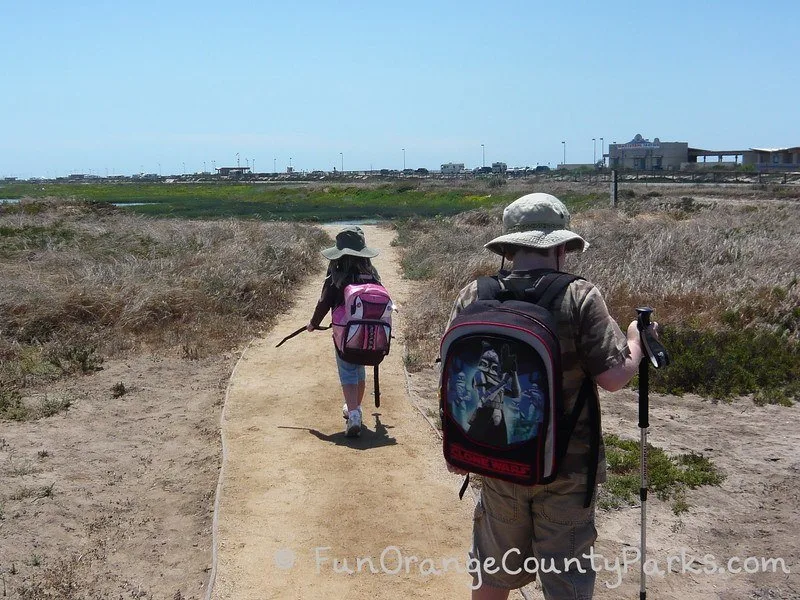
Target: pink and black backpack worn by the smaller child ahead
(362, 326)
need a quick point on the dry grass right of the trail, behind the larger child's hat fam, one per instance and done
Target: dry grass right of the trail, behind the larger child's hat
(704, 265)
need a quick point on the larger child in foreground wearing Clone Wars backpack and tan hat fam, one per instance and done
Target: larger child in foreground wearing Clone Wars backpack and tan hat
(548, 455)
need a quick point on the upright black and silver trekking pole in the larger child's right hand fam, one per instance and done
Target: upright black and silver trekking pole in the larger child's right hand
(656, 355)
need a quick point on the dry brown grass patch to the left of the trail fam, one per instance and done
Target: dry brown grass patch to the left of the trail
(80, 285)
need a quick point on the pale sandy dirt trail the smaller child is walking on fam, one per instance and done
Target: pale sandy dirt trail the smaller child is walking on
(298, 495)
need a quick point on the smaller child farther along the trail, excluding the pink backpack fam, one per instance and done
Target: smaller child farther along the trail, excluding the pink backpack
(350, 265)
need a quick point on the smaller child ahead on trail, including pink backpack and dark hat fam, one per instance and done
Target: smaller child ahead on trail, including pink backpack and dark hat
(361, 318)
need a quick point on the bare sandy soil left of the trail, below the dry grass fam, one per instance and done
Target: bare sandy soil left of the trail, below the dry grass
(129, 511)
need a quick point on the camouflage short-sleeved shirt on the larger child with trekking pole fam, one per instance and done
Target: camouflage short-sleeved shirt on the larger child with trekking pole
(591, 343)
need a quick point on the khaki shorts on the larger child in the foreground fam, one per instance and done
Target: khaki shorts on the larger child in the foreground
(529, 530)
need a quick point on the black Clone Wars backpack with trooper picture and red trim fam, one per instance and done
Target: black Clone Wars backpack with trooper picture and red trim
(501, 402)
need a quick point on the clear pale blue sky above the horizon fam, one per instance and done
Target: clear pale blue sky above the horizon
(121, 88)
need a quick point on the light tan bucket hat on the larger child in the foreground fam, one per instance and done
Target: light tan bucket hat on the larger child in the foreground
(537, 221)
